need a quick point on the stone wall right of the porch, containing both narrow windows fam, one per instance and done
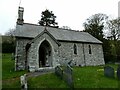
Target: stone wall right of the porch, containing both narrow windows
(66, 54)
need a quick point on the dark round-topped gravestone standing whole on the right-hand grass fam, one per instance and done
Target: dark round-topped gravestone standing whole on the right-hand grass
(109, 72)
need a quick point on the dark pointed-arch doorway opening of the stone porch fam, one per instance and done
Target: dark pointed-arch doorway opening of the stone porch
(45, 56)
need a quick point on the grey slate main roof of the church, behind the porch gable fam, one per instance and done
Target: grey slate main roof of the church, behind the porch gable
(31, 31)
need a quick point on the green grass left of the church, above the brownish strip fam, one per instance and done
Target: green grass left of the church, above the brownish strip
(8, 70)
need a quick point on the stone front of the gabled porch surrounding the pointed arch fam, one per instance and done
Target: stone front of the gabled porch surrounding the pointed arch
(33, 53)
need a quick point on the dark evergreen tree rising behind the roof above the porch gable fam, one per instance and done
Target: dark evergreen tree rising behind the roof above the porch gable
(48, 19)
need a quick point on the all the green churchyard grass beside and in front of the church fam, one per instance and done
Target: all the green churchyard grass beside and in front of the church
(83, 77)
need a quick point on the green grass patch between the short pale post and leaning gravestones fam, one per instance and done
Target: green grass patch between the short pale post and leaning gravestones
(46, 81)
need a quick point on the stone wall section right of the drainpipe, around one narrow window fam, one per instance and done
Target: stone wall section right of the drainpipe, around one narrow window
(96, 57)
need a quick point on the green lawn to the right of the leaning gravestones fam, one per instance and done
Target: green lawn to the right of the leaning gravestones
(91, 77)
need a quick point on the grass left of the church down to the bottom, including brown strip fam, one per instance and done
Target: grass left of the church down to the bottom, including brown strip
(10, 78)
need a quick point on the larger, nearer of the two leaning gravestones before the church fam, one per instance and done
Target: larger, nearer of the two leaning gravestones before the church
(67, 76)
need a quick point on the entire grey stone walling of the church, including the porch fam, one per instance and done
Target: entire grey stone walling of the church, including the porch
(59, 55)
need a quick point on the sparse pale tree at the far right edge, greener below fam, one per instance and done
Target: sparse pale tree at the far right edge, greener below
(113, 27)
